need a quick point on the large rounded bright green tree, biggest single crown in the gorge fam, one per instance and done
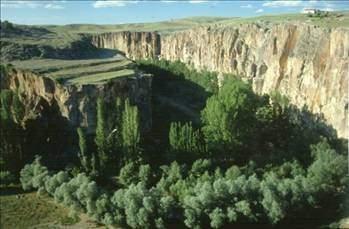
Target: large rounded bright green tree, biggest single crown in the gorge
(229, 115)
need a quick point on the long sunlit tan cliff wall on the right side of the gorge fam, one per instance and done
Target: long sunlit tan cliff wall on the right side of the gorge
(307, 63)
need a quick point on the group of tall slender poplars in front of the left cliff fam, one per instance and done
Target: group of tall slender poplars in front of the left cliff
(117, 139)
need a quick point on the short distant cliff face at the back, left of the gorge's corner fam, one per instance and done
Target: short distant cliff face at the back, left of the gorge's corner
(135, 45)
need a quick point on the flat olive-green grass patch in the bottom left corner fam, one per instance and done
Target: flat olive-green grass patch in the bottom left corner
(27, 210)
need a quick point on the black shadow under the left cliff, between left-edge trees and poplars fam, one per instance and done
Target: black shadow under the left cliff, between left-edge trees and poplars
(51, 135)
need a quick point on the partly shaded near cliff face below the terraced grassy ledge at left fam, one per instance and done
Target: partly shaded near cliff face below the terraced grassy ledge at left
(77, 103)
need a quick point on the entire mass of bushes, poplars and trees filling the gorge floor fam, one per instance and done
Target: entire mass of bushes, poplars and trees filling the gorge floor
(247, 158)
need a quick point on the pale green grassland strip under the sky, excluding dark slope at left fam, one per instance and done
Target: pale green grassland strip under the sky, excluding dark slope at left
(63, 36)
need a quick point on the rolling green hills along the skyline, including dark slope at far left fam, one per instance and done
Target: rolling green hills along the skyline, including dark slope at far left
(69, 42)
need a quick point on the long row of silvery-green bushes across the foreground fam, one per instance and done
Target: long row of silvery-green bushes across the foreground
(200, 194)
